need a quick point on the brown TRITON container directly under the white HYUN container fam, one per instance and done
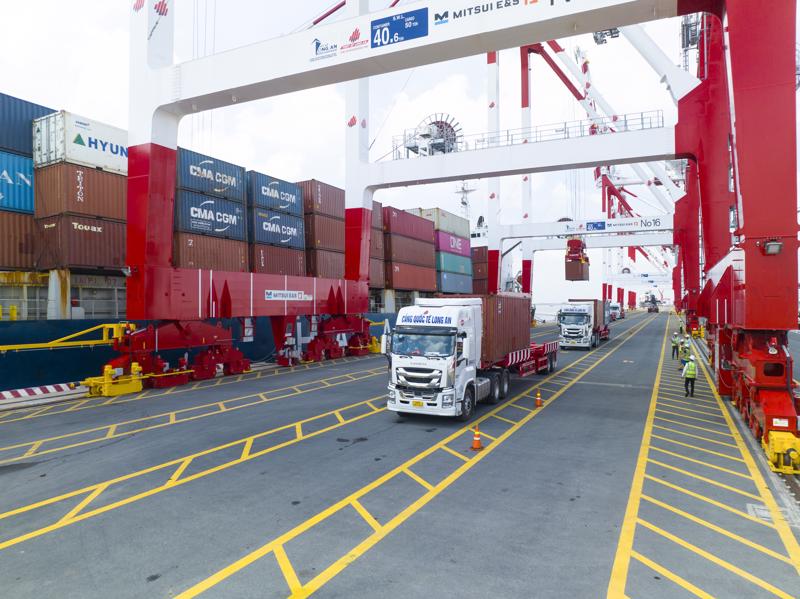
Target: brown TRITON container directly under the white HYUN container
(77, 189)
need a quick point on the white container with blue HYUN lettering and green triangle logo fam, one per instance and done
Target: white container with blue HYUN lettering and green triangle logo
(67, 137)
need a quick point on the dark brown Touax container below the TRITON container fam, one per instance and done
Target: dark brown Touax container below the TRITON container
(71, 241)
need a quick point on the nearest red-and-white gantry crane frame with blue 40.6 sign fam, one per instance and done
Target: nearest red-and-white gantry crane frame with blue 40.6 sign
(750, 294)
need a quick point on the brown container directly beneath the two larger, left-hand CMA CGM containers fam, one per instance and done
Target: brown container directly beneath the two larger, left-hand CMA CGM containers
(209, 253)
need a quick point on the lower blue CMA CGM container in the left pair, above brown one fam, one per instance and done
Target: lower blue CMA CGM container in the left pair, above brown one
(207, 215)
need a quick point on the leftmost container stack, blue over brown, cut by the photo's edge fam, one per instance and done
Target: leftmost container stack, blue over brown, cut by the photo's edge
(17, 229)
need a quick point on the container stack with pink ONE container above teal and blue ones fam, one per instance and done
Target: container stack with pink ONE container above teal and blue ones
(453, 261)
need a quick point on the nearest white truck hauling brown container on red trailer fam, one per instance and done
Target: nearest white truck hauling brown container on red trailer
(447, 354)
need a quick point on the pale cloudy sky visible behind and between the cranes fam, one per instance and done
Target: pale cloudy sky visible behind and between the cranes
(74, 56)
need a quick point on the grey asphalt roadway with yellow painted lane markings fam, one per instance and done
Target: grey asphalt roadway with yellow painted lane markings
(300, 482)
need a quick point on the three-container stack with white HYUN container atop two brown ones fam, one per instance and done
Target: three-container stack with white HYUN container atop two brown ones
(80, 189)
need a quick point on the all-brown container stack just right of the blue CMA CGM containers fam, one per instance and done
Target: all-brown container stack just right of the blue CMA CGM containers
(323, 206)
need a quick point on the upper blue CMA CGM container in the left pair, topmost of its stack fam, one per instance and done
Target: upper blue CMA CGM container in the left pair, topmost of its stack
(210, 176)
